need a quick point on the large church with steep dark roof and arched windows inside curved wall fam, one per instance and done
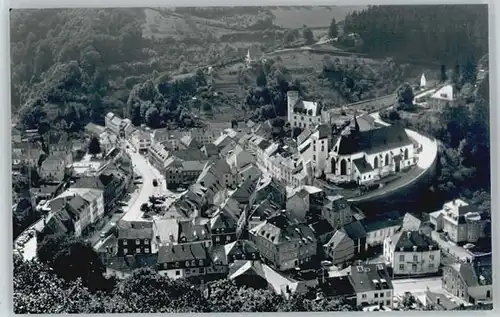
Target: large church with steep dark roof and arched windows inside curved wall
(366, 156)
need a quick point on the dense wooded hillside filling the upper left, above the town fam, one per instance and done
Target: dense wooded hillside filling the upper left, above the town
(72, 66)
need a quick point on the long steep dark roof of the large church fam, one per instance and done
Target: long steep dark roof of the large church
(373, 141)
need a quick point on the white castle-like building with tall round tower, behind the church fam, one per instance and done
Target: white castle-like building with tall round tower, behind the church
(302, 114)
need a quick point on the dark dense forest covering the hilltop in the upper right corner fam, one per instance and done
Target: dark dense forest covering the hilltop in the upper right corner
(440, 33)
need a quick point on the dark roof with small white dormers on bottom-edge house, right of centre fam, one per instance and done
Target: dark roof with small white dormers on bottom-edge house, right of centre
(370, 277)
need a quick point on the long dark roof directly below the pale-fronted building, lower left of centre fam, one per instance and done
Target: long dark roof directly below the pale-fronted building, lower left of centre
(181, 252)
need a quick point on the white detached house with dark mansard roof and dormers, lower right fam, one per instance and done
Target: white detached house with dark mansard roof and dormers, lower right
(412, 253)
